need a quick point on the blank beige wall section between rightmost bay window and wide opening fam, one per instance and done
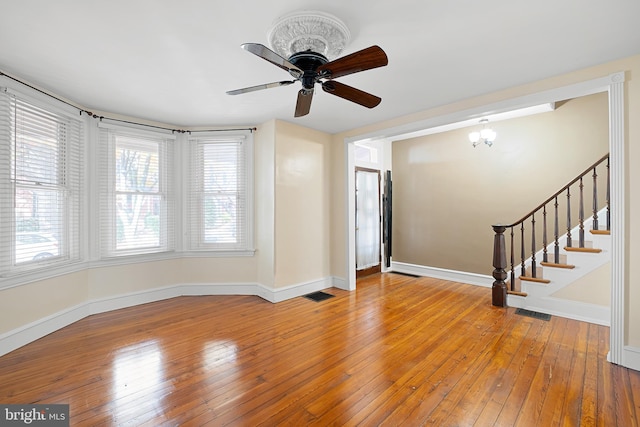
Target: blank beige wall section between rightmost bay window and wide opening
(302, 205)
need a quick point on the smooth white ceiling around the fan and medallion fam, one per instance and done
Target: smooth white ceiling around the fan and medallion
(172, 61)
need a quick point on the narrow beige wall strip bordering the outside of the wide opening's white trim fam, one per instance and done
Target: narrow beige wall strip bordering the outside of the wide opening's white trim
(632, 142)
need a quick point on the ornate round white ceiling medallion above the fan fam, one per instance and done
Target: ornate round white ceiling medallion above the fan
(319, 32)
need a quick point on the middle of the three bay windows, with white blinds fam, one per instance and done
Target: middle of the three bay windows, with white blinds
(136, 197)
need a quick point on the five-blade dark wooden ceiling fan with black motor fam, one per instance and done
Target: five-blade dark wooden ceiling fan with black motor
(310, 67)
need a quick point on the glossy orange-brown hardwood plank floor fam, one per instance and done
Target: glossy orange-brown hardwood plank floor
(398, 351)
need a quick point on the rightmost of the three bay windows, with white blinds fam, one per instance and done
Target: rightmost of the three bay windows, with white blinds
(218, 203)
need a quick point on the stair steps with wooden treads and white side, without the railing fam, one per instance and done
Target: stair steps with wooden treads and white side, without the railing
(577, 287)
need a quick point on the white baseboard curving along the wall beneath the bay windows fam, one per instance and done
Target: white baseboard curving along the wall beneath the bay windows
(25, 334)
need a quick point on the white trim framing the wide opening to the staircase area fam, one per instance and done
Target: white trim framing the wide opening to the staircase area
(613, 84)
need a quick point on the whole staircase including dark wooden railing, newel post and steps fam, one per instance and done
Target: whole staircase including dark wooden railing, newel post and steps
(552, 278)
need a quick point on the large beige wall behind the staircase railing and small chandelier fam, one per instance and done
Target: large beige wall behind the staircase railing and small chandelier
(447, 194)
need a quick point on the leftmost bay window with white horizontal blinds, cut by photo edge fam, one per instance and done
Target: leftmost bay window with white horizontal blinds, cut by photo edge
(41, 192)
